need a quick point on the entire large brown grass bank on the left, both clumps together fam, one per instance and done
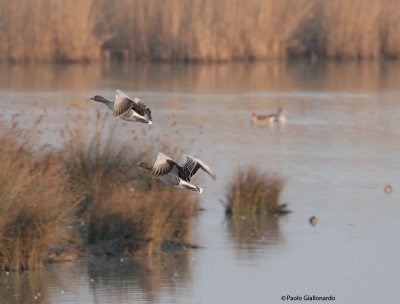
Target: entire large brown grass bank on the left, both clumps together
(86, 198)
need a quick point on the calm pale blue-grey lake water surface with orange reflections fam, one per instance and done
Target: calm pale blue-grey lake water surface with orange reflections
(338, 150)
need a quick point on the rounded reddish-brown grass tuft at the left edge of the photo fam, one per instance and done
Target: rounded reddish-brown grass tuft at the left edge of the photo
(35, 204)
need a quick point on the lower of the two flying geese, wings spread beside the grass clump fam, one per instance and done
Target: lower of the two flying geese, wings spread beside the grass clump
(177, 175)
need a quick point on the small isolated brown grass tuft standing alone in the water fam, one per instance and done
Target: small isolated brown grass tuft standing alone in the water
(253, 192)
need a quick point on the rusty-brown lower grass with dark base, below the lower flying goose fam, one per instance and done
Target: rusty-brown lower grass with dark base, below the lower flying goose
(132, 222)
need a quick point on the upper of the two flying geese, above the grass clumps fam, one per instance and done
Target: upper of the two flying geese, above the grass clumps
(126, 108)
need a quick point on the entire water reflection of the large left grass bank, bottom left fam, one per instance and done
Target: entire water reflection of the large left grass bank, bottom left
(101, 280)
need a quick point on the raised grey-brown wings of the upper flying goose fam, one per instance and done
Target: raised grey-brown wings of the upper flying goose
(124, 103)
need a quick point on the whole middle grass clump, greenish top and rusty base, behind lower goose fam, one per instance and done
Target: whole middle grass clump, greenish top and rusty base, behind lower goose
(124, 209)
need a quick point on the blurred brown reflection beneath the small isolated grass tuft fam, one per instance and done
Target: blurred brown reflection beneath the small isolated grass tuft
(250, 235)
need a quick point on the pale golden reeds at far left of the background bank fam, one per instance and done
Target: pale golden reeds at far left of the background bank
(48, 30)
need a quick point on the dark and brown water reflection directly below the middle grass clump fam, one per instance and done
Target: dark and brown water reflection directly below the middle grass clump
(117, 279)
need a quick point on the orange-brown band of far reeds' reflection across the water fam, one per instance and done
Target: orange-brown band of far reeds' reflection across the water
(236, 77)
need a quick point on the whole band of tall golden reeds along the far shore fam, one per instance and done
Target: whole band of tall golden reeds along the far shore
(198, 30)
